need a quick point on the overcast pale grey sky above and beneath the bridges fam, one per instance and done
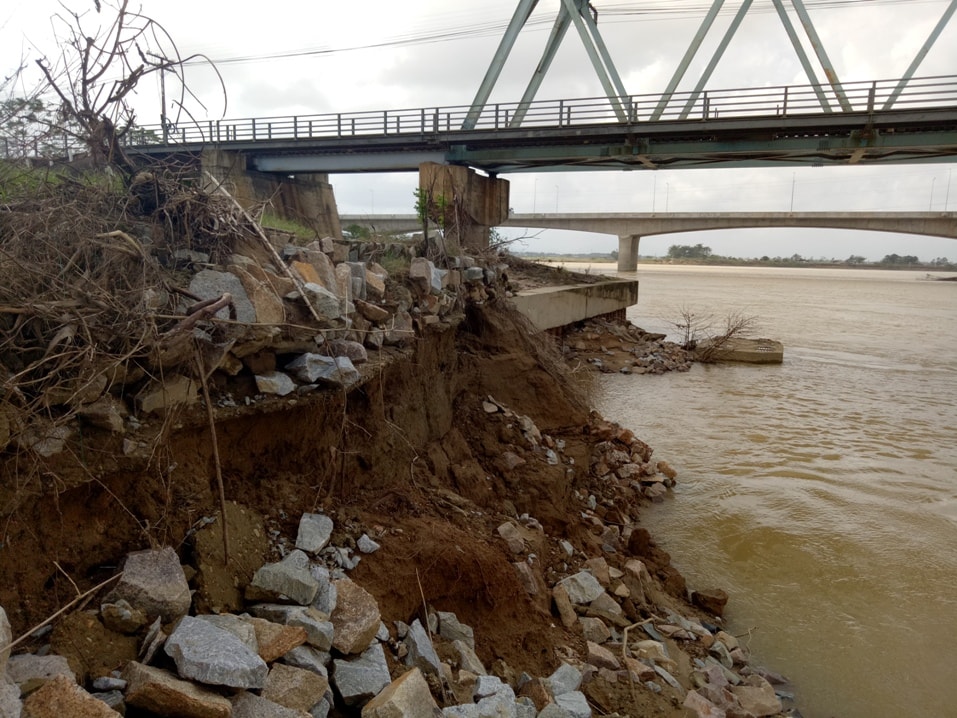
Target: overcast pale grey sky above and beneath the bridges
(297, 57)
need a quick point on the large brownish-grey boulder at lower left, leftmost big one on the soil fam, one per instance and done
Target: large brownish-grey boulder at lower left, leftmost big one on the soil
(153, 582)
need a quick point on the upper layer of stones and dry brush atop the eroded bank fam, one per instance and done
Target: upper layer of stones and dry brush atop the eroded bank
(255, 316)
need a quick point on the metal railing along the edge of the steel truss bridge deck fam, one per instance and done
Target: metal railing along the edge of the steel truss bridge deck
(780, 101)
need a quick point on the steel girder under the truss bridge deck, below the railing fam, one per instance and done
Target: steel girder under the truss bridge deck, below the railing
(896, 137)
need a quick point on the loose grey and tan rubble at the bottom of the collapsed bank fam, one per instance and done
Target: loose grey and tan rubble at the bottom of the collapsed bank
(302, 638)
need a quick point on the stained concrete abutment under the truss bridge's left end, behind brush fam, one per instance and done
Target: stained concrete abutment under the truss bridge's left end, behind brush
(307, 199)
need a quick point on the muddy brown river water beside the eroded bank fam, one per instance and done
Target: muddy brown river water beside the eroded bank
(821, 493)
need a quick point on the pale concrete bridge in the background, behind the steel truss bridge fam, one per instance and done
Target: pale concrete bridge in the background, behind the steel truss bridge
(630, 227)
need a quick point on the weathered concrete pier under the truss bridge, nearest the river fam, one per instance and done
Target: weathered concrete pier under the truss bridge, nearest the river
(464, 203)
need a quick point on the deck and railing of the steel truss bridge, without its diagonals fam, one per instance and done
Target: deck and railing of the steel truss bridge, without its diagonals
(741, 127)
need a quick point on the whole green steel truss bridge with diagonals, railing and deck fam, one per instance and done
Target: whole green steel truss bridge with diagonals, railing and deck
(823, 122)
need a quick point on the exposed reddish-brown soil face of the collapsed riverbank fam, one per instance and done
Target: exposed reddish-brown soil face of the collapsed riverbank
(410, 457)
